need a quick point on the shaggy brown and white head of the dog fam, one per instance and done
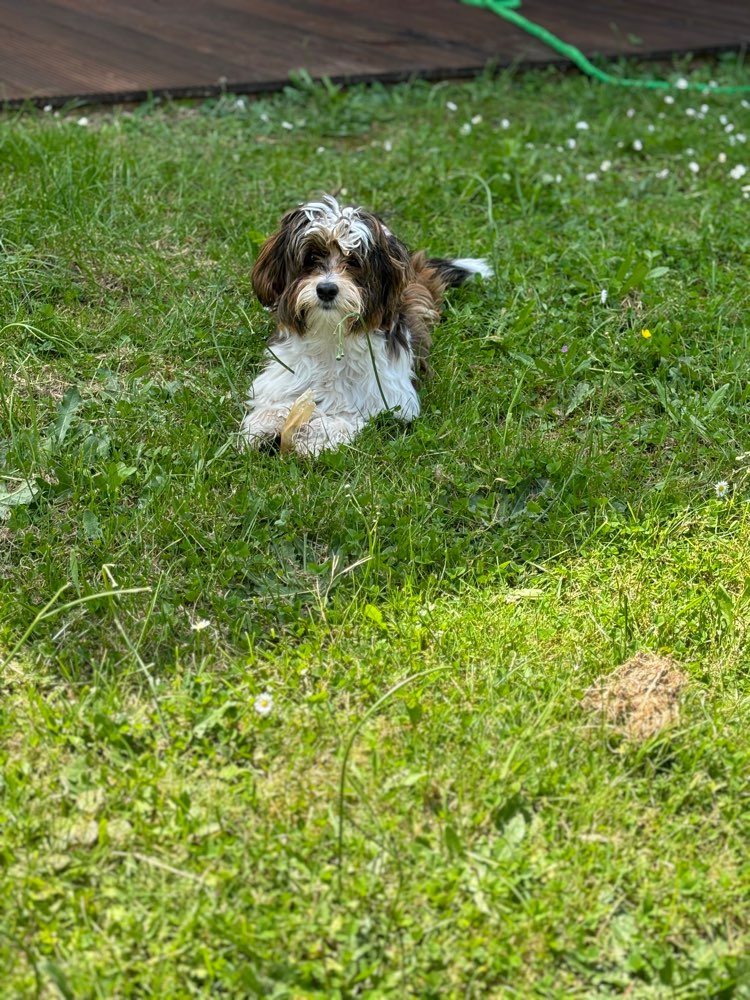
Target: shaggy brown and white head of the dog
(330, 269)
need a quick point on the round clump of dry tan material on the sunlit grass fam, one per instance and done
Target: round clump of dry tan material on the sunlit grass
(640, 697)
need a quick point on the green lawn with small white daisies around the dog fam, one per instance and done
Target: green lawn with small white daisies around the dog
(428, 810)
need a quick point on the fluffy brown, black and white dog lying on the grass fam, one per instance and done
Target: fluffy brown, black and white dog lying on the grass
(355, 311)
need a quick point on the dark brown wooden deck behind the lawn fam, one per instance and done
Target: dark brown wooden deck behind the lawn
(113, 50)
